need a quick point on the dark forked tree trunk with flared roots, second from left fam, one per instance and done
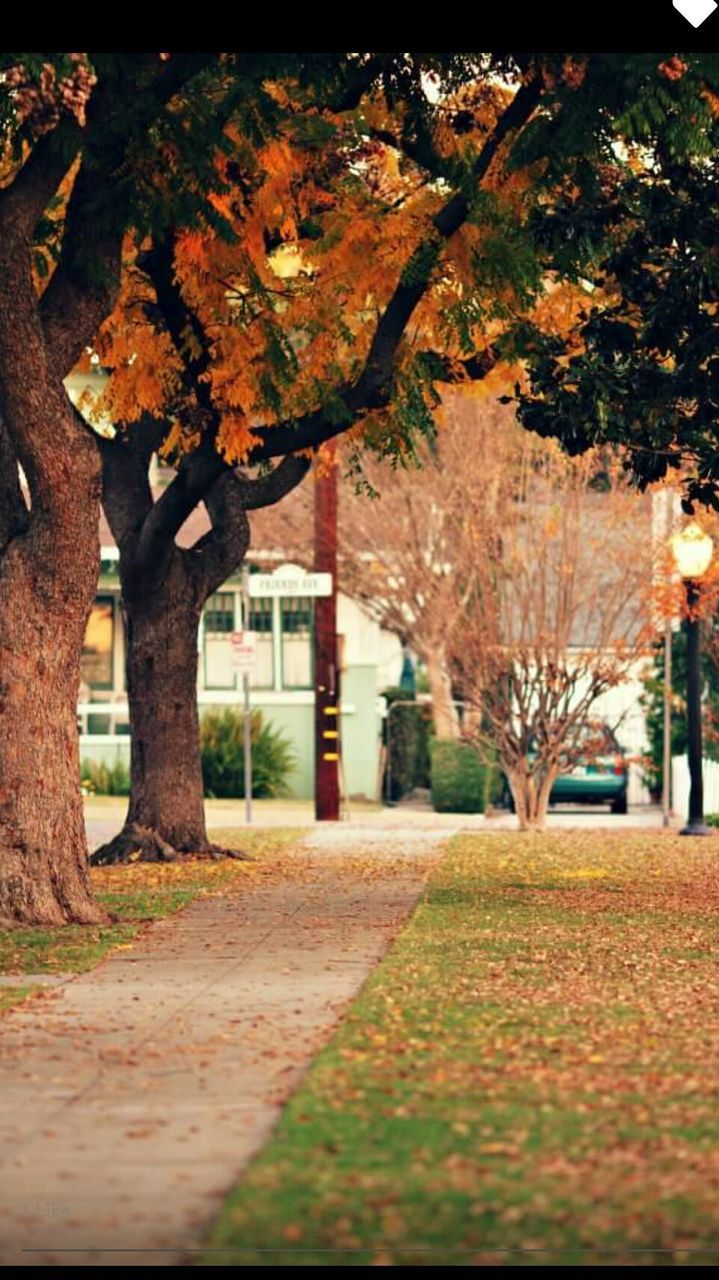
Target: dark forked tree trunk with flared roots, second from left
(164, 592)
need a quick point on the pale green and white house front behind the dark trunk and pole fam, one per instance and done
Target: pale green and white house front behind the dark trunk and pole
(282, 687)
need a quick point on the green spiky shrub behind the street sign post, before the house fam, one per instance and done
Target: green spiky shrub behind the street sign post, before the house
(222, 739)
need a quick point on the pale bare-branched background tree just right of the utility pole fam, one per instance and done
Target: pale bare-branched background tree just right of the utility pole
(409, 554)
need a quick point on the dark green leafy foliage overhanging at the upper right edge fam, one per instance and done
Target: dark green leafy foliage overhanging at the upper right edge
(642, 369)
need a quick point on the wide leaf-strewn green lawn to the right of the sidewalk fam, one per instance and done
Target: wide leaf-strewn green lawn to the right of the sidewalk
(530, 1078)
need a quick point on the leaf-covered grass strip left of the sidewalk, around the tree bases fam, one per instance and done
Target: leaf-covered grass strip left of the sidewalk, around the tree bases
(136, 895)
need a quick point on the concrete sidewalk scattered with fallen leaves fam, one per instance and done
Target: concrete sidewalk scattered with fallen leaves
(135, 1095)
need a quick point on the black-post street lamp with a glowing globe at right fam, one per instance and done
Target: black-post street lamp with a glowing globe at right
(693, 554)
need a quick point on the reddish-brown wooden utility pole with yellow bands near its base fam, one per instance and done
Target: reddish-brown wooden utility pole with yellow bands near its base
(327, 675)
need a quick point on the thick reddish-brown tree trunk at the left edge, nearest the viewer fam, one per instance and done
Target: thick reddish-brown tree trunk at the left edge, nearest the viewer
(48, 580)
